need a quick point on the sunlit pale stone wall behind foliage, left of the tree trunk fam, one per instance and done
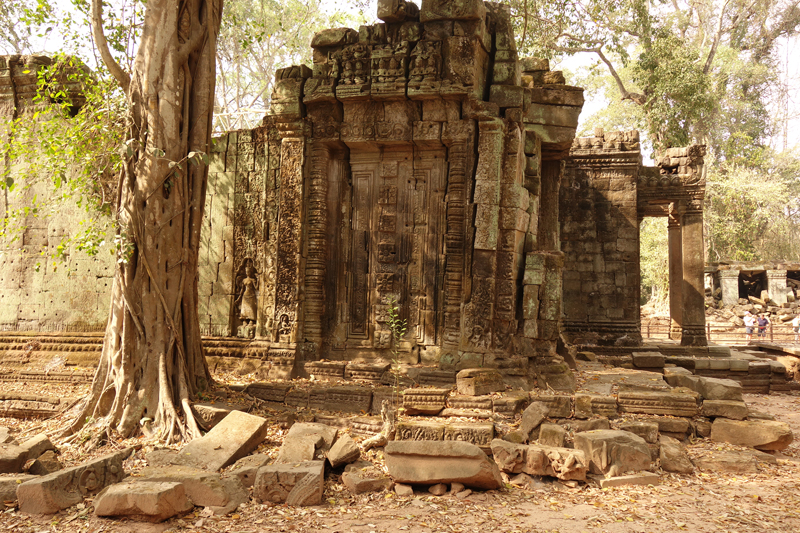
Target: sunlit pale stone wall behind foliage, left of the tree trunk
(35, 294)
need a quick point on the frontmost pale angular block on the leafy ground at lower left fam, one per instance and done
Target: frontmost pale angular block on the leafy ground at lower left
(143, 500)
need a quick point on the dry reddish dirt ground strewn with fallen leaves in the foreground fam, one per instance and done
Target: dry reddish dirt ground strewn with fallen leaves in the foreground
(701, 502)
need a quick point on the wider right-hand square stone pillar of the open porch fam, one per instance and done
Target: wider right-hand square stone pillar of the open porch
(694, 318)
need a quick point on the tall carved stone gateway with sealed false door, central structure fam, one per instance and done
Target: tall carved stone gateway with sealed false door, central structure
(406, 169)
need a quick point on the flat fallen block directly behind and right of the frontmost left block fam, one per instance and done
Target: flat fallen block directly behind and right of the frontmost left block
(205, 489)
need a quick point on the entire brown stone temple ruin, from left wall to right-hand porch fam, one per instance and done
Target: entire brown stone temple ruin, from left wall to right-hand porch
(421, 174)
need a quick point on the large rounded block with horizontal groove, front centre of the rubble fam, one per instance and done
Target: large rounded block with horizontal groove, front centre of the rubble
(431, 462)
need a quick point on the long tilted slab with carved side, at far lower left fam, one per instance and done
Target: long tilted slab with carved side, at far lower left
(59, 490)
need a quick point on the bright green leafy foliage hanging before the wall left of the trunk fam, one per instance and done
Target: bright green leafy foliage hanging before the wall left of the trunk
(68, 144)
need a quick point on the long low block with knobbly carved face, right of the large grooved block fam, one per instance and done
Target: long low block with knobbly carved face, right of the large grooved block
(538, 460)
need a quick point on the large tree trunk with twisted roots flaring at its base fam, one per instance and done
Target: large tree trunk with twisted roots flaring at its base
(152, 363)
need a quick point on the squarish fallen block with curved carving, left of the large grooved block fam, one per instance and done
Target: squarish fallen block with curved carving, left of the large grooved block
(299, 484)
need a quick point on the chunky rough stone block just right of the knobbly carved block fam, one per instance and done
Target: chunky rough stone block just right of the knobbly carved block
(613, 452)
